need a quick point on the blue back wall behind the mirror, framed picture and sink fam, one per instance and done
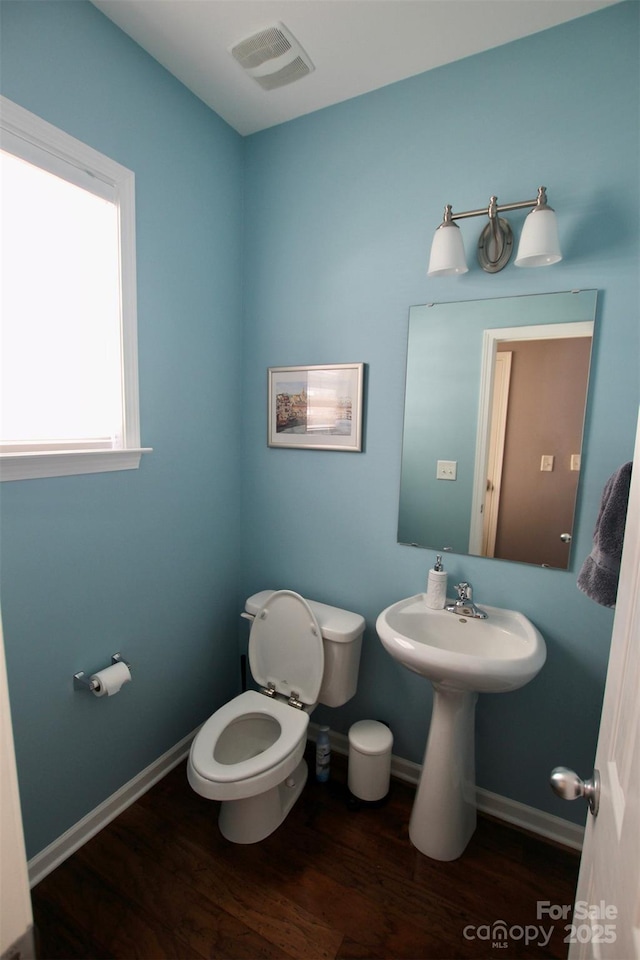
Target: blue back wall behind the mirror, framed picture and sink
(343, 204)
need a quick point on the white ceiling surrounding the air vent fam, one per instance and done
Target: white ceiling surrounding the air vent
(355, 45)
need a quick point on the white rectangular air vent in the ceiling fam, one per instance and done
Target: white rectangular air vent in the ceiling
(273, 57)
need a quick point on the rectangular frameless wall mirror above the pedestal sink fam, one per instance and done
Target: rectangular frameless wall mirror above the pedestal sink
(495, 404)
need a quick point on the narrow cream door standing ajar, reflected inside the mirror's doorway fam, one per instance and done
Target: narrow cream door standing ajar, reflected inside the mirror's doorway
(498, 430)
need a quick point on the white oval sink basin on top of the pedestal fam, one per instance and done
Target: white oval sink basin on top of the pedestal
(501, 653)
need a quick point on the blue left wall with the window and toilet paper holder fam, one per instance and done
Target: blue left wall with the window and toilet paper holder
(147, 561)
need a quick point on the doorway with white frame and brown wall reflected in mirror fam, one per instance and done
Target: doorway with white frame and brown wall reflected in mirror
(521, 510)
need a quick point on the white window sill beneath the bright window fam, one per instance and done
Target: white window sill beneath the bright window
(34, 466)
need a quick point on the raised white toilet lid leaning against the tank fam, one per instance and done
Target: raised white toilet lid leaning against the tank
(285, 647)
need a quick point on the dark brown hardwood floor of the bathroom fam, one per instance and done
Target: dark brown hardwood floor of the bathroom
(160, 882)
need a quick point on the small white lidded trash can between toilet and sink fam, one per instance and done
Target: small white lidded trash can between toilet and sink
(370, 744)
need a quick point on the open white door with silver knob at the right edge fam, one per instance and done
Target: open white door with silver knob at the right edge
(606, 917)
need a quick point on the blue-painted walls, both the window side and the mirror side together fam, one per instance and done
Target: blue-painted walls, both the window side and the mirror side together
(339, 209)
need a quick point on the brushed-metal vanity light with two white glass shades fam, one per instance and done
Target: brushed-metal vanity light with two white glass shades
(539, 245)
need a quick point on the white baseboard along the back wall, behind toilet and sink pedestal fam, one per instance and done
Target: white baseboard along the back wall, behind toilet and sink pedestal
(502, 808)
